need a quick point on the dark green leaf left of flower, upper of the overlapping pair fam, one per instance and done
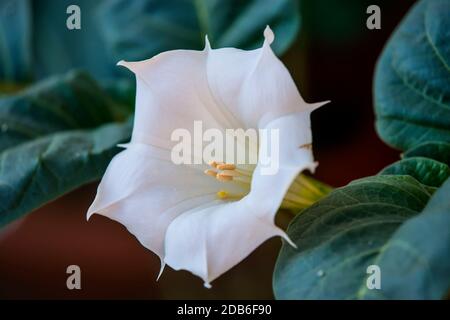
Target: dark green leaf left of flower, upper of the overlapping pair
(72, 101)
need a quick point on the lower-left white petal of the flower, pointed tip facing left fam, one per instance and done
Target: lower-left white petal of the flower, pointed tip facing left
(145, 191)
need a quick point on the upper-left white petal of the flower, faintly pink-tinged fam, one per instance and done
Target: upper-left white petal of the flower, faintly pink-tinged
(172, 92)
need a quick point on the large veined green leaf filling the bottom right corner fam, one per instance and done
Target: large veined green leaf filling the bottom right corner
(372, 221)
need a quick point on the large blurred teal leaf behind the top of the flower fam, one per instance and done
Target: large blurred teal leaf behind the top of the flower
(135, 30)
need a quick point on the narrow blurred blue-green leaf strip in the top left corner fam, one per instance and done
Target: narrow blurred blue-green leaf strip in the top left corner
(15, 41)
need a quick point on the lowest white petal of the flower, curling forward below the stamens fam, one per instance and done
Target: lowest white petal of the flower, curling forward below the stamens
(208, 242)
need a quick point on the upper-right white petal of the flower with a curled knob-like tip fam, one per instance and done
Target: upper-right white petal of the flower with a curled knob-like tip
(254, 85)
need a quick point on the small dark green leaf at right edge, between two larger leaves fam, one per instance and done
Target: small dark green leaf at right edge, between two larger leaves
(426, 171)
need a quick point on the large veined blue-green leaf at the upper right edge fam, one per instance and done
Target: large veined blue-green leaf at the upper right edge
(412, 87)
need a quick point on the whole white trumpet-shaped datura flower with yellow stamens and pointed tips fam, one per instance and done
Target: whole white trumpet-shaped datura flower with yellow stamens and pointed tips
(207, 218)
